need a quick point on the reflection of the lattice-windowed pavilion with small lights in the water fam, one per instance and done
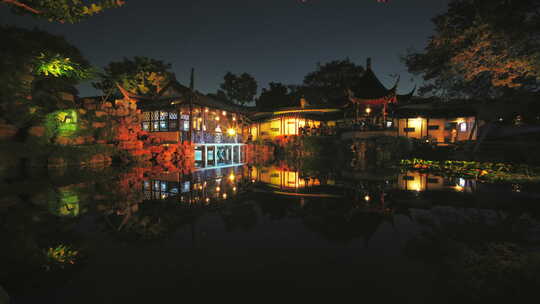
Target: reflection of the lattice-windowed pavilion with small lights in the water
(203, 186)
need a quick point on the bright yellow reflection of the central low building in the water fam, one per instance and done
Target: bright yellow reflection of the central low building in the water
(283, 179)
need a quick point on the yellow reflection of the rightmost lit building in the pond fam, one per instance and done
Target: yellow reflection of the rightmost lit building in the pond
(418, 181)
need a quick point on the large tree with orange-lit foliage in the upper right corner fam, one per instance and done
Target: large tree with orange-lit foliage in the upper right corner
(481, 48)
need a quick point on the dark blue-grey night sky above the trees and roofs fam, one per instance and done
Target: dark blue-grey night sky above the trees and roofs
(274, 40)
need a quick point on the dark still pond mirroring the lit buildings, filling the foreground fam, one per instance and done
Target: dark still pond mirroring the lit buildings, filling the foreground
(132, 235)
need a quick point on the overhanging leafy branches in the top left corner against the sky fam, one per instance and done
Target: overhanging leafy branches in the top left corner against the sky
(62, 11)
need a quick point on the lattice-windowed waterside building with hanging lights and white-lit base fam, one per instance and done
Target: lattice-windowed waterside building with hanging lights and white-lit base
(217, 129)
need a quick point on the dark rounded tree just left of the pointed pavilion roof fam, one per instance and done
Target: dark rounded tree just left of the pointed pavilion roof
(330, 82)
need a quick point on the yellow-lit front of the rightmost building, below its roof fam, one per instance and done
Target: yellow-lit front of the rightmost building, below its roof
(438, 125)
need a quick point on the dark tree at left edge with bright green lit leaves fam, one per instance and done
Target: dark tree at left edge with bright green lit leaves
(35, 67)
